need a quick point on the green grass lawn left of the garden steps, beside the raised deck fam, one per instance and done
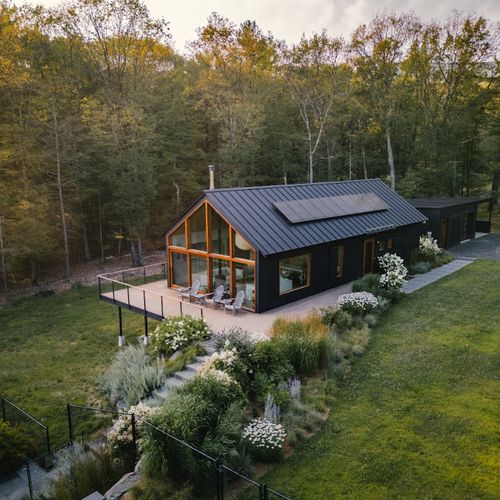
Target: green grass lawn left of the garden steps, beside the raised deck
(53, 349)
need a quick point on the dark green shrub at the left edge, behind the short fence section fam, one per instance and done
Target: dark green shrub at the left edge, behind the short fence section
(16, 446)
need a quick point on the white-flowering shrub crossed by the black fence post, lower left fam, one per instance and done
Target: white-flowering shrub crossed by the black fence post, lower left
(120, 438)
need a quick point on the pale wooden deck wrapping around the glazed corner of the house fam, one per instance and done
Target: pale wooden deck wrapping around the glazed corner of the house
(147, 299)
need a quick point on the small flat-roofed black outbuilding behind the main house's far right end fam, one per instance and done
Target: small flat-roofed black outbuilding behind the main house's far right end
(452, 220)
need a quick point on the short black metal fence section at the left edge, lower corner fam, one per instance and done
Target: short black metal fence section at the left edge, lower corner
(29, 425)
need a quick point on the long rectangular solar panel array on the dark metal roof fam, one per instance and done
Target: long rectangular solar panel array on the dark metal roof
(311, 209)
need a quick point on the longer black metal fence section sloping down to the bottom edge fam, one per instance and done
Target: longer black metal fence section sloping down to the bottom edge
(92, 427)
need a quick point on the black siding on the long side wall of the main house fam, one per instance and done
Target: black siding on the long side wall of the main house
(322, 277)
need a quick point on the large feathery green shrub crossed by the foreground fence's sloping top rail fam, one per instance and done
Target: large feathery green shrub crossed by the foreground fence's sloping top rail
(205, 413)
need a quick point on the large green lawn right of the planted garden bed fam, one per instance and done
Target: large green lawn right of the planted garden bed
(419, 416)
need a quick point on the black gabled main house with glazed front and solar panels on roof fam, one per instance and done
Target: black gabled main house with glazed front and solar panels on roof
(283, 243)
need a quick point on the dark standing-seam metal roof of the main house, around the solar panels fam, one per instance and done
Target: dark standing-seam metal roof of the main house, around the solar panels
(251, 211)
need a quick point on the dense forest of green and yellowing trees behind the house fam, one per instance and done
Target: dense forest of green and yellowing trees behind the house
(106, 130)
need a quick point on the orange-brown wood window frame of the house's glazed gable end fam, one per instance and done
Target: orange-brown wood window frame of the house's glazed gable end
(208, 254)
